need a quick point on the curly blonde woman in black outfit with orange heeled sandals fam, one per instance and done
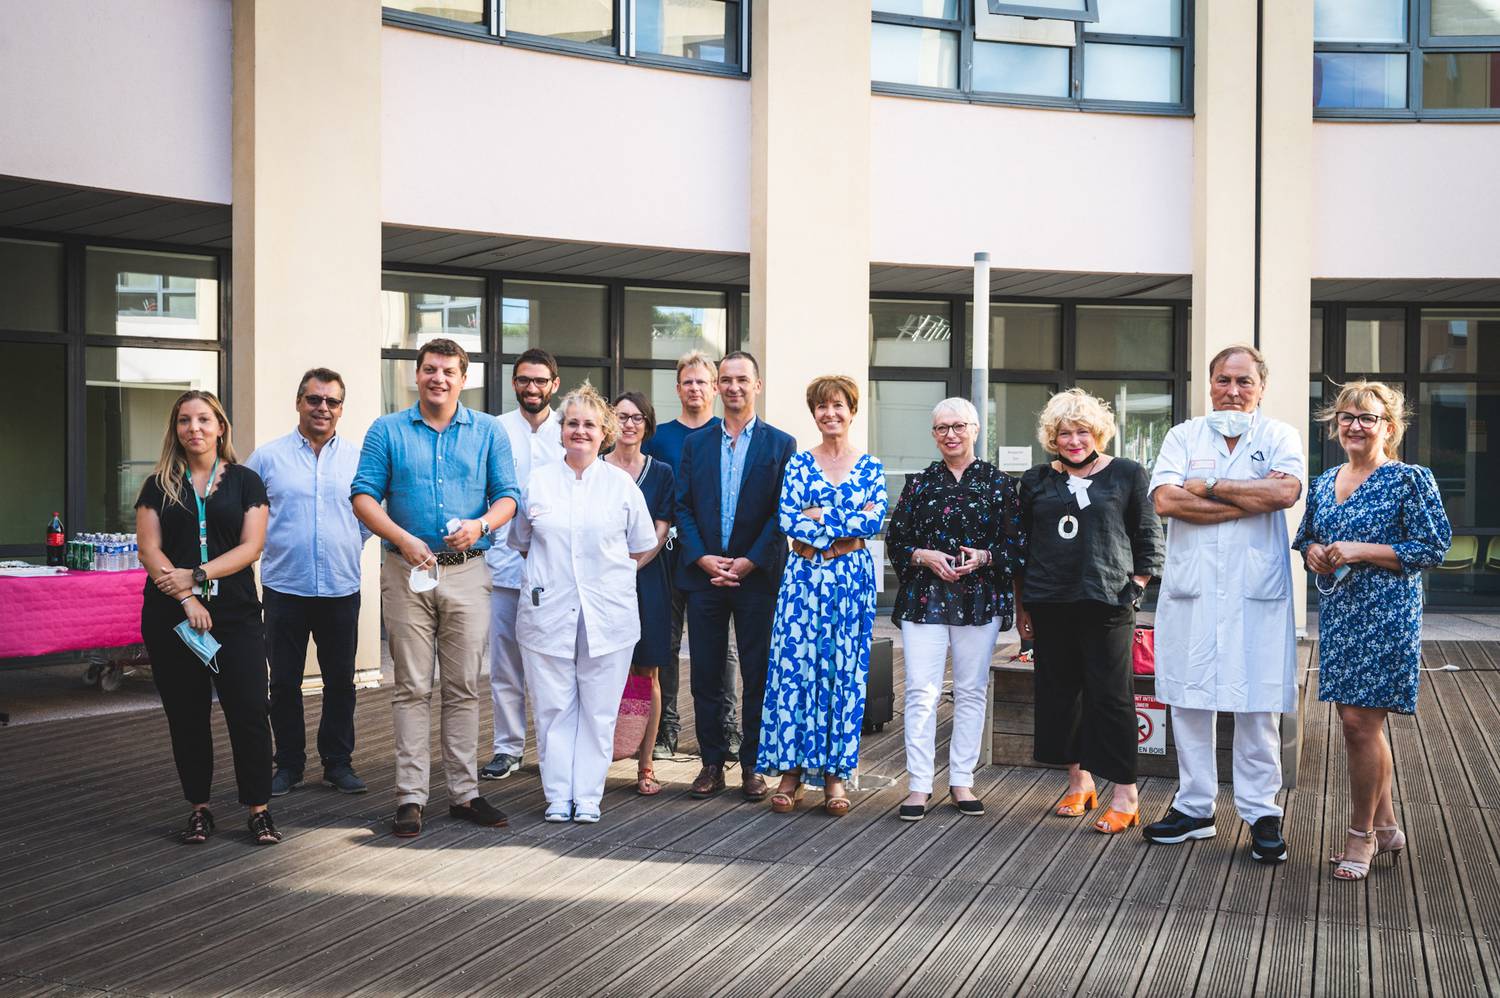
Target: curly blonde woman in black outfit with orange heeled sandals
(1094, 544)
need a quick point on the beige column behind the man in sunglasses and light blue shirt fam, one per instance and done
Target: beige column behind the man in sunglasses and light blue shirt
(307, 223)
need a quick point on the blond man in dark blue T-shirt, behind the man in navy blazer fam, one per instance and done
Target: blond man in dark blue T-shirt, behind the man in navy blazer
(697, 386)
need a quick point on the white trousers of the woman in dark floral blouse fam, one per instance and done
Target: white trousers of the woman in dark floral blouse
(925, 649)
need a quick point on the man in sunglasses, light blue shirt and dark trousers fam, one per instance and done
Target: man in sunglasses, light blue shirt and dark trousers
(311, 582)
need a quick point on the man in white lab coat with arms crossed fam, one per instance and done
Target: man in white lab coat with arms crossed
(1226, 637)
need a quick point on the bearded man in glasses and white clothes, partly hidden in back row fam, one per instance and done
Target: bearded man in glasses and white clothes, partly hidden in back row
(536, 439)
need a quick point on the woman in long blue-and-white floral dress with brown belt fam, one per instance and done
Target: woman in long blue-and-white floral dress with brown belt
(833, 497)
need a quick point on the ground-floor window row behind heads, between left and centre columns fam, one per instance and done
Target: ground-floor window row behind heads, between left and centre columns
(607, 332)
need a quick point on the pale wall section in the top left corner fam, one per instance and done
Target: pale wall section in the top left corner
(128, 95)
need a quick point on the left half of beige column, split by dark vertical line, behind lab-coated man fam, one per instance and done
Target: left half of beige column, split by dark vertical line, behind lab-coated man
(1223, 187)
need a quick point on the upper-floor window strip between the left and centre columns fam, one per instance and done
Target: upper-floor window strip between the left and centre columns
(704, 35)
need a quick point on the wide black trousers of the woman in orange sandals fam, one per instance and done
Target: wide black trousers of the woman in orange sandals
(1085, 694)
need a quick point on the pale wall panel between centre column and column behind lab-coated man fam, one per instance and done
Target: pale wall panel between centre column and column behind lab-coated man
(1039, 190)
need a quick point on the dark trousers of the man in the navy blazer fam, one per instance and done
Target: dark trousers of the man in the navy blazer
(709, 616)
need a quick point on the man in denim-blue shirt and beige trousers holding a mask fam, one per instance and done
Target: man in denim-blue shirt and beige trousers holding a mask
(448, 479)
